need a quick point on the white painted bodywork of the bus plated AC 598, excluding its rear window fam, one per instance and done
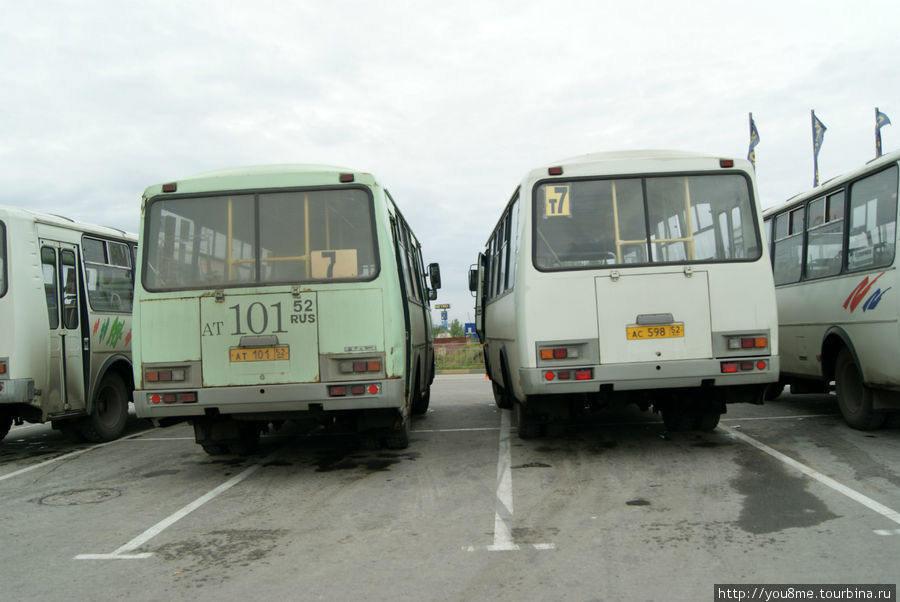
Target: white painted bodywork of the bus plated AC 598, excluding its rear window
(589, 309)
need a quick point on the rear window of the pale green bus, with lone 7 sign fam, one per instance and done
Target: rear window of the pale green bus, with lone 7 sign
(247, 239)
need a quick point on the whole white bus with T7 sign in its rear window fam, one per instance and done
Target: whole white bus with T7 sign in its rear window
(629, 277)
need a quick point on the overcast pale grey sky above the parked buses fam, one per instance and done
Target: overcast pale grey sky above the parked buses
(448, 104)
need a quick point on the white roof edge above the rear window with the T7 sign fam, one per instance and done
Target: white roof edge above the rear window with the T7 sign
(636, 161)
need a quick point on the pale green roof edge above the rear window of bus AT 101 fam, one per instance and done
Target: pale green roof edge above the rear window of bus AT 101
(286, 175)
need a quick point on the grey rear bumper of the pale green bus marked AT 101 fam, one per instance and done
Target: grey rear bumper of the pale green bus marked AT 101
(274, 399)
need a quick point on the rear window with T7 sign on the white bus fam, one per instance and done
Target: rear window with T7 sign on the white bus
(626, 221)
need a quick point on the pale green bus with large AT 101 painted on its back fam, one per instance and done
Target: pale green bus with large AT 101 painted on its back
(281, 292)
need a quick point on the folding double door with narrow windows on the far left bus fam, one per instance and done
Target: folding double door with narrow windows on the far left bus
(65, 388)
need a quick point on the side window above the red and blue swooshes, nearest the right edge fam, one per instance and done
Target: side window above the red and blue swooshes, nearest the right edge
(873, 219)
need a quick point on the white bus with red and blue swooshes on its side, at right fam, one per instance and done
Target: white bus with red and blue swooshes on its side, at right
(834, 263)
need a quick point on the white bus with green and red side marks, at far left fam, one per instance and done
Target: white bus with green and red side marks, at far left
(65, 324)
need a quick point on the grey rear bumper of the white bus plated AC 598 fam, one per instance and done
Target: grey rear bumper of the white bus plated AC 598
(684, 374)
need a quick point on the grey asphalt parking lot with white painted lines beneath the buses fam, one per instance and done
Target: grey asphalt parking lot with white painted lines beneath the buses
(614, 508)
